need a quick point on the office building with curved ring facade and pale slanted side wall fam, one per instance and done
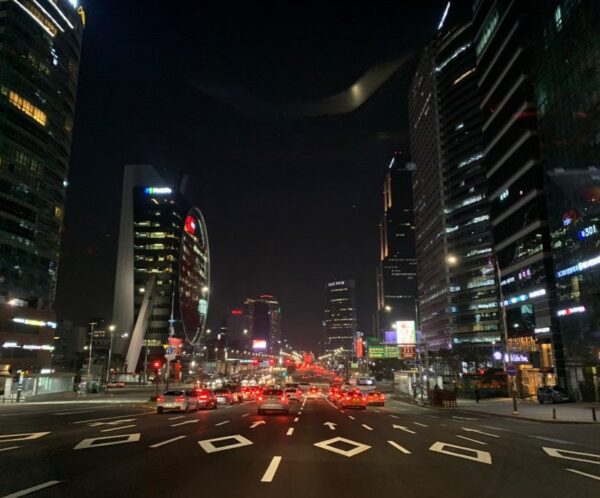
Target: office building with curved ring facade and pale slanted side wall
(163, 267)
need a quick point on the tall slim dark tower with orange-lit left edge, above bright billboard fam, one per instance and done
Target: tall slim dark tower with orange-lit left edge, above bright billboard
(397, 269)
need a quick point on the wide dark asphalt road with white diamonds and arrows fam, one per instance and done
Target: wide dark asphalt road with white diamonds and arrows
(112, 450)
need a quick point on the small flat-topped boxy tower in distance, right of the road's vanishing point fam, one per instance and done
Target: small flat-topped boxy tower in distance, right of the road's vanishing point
(340, 315)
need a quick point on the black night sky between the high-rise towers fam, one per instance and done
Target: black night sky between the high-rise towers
(290, 202)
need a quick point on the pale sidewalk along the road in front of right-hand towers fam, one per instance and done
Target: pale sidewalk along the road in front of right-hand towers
(565, 412)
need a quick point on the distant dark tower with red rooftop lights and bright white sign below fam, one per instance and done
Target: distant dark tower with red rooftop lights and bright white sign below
(263, 316)
